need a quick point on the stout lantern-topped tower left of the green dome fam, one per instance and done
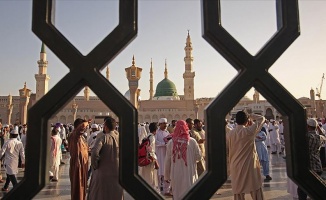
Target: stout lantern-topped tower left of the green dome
(133, 74)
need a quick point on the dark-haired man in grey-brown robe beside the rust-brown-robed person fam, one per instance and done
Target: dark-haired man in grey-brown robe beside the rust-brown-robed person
(105, 163)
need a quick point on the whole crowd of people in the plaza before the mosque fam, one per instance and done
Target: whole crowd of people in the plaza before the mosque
(176, 151)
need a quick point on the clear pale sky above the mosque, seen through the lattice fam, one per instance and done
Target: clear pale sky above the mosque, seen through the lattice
(162, 35)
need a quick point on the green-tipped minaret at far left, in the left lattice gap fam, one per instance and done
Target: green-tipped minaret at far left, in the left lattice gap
(42, 79)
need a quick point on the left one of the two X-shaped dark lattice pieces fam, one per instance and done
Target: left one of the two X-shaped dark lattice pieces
(84, 70)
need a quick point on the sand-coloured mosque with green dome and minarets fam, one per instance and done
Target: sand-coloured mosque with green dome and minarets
(165, 101)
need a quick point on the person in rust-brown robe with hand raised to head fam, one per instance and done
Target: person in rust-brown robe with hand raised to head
(78, 149)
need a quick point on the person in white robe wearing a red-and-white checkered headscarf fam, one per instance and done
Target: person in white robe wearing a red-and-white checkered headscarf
(182, 154)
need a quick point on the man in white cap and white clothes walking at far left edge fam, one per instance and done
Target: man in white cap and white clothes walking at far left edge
(12, 148)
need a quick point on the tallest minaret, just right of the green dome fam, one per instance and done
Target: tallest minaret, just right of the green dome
(189, 74)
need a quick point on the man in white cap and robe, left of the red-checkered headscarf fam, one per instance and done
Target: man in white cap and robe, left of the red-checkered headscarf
(160, 149)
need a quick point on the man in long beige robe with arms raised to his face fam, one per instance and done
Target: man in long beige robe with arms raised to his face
(244, 161)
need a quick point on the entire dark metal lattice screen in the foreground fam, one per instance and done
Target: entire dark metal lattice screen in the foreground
(84, 70)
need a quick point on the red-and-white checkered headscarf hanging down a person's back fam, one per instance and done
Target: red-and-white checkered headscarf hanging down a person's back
(180, 138)
